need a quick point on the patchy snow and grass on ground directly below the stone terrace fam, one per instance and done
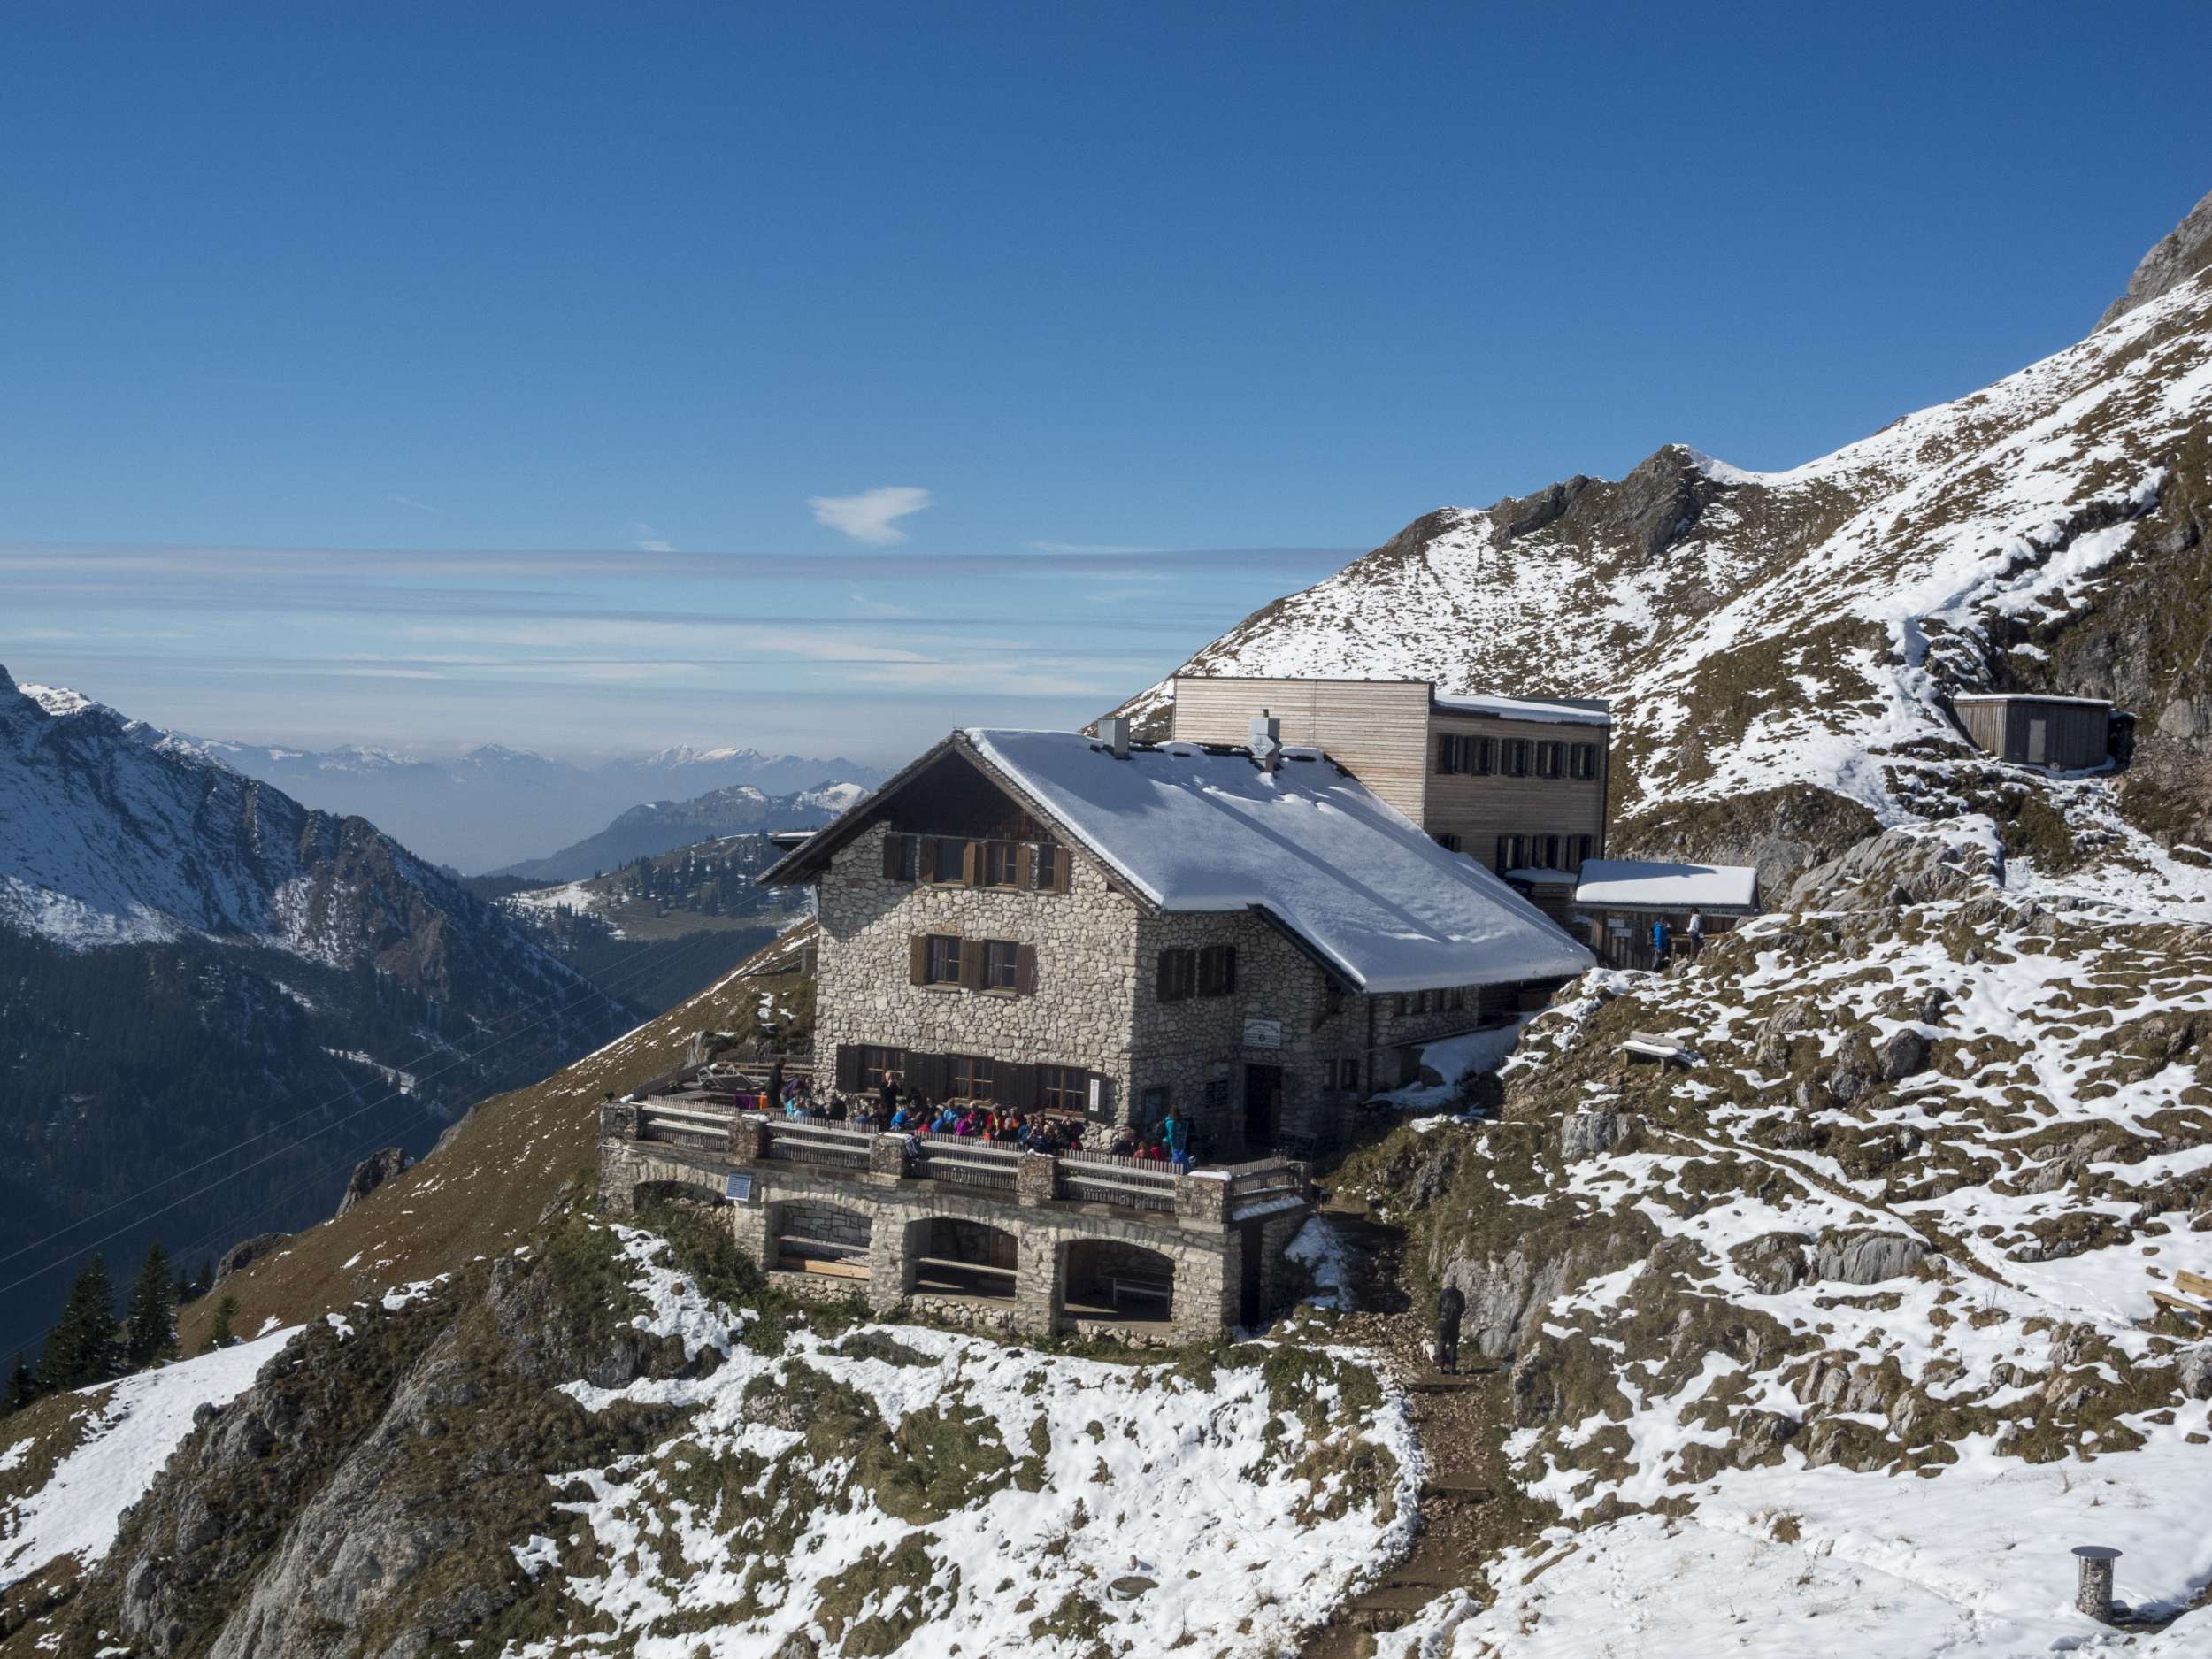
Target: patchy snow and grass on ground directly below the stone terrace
(1145, 1505)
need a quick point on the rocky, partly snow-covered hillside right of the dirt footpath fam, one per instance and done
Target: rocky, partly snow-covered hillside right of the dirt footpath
(1853, 1313)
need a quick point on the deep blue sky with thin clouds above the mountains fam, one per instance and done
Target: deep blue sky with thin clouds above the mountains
(820, 377)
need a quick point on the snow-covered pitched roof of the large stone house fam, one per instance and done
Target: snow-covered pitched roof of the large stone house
(1209, 831)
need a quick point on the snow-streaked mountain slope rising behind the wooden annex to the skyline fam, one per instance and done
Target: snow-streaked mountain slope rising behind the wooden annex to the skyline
(1780, 634)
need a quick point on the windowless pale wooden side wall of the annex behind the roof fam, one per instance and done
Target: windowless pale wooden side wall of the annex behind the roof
(1375, 729)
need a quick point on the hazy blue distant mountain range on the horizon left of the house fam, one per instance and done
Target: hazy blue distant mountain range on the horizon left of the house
(499, 806)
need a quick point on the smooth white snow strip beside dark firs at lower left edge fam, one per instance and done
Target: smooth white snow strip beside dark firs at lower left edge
(136, 1426)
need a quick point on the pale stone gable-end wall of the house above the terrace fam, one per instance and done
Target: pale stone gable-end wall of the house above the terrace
(1087, 968)
